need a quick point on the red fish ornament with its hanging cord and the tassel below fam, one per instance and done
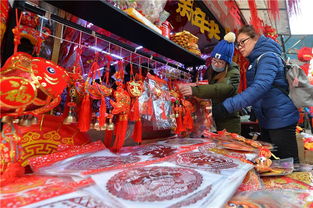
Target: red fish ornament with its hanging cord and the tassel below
(29, 86)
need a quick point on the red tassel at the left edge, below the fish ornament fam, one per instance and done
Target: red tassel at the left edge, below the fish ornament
(12, 171)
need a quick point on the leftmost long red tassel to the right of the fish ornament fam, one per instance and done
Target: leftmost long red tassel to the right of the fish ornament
(84, 115)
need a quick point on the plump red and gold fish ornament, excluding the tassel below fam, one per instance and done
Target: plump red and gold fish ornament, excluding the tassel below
(30, 85)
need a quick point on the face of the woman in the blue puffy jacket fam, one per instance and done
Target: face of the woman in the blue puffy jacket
(245, 44)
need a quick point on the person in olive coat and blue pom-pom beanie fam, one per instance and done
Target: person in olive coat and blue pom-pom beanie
(224, 78)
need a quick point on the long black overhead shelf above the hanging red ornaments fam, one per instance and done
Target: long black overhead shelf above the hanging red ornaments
(116, 21)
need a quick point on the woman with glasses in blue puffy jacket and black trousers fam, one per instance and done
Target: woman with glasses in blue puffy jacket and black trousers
(276, 113)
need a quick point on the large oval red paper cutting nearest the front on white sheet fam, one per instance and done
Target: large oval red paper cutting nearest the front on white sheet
(154, 183)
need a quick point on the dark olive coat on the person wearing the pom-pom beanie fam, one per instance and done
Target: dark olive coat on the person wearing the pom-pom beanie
(221, 86)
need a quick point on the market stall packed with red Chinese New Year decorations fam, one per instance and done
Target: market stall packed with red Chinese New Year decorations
(92, 115)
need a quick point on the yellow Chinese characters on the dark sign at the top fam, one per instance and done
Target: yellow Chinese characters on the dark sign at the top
(198, 18)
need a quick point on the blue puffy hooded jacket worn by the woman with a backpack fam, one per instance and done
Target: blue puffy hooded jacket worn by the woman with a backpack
(272, 107)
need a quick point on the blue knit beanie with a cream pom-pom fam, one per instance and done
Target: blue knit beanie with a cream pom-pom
(224, 50)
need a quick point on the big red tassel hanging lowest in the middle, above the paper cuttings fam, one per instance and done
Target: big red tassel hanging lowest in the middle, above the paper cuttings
(120, 133)
